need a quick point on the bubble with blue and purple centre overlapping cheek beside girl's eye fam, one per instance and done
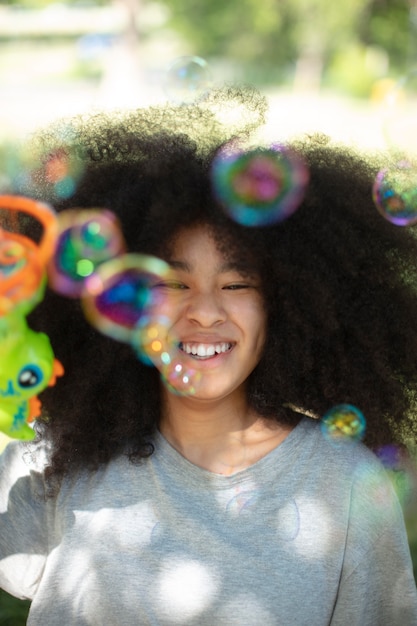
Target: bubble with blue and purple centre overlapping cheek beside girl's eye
(121, 292)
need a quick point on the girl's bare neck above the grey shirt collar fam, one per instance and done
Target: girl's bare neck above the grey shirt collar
(222, 437)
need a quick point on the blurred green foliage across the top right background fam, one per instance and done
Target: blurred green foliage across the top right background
(347, 45)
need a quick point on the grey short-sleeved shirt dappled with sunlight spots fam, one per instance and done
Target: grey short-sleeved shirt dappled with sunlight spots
(311, 535)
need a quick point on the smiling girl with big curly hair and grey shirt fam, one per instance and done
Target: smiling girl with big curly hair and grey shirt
(139, 504)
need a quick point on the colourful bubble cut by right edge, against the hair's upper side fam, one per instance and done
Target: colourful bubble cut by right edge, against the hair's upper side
(395, 193)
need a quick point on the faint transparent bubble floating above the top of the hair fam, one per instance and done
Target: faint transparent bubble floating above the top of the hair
(187, 79)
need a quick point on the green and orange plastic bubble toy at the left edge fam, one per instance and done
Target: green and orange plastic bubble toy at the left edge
(27, 362)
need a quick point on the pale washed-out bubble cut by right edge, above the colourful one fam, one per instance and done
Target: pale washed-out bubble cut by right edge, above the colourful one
(400, 120)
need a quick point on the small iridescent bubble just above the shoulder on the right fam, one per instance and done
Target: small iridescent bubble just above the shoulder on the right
(344, 421)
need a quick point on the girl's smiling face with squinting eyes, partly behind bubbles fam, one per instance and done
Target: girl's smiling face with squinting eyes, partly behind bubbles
(216, 315)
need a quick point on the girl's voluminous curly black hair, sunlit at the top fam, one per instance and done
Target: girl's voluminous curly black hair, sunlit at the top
(338, 281)
